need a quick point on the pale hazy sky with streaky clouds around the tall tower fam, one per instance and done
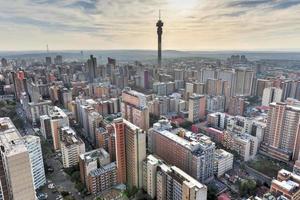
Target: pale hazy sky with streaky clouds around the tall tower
(130, 24)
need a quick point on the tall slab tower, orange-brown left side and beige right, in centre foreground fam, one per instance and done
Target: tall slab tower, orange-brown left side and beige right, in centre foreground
(130, 152)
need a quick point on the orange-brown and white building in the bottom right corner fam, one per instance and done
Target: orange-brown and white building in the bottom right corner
(286, 185)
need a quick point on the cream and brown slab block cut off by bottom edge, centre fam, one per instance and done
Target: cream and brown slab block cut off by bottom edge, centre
(169, 182)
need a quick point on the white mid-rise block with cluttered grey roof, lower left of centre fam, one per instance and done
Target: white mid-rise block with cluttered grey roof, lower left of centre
(71, 147)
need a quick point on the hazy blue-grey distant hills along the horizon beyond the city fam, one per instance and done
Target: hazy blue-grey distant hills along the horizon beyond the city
(140, 55)
